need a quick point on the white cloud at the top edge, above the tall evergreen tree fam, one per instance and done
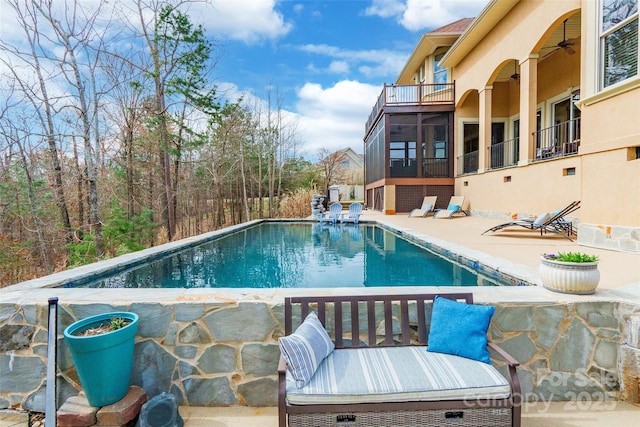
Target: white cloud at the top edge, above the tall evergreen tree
(249, 21)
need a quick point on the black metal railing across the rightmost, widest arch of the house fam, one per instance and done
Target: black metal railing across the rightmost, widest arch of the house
(562, 139)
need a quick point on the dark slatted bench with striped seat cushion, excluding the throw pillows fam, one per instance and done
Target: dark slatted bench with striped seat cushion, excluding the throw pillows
(380, 374)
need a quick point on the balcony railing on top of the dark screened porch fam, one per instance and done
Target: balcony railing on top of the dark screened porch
(419, 94)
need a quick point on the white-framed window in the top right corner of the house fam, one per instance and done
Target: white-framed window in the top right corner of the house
(618, 41)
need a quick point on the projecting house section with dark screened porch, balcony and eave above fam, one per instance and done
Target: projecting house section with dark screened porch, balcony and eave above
(409, 134)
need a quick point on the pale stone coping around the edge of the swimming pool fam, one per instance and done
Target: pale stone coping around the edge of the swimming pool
(42, 288)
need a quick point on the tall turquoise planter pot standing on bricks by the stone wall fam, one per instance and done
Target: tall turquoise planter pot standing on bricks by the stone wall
(104, 361)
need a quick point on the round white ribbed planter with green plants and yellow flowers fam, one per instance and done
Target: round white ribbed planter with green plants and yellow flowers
(570, 272)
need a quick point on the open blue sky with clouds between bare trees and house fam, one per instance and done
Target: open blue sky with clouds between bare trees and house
(326, 61)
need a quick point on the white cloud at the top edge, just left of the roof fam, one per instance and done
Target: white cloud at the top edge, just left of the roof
(417, 15)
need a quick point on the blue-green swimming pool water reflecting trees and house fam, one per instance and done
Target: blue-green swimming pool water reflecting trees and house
(297, 255)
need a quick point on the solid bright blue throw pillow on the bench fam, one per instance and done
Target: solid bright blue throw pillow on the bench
(460, 329)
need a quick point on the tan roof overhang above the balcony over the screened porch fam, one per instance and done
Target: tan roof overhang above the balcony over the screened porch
(429, 42)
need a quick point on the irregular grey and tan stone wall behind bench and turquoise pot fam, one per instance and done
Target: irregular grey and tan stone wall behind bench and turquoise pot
(223, 354)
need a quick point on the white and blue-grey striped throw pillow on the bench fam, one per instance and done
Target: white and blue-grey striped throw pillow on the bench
(305, 349)
